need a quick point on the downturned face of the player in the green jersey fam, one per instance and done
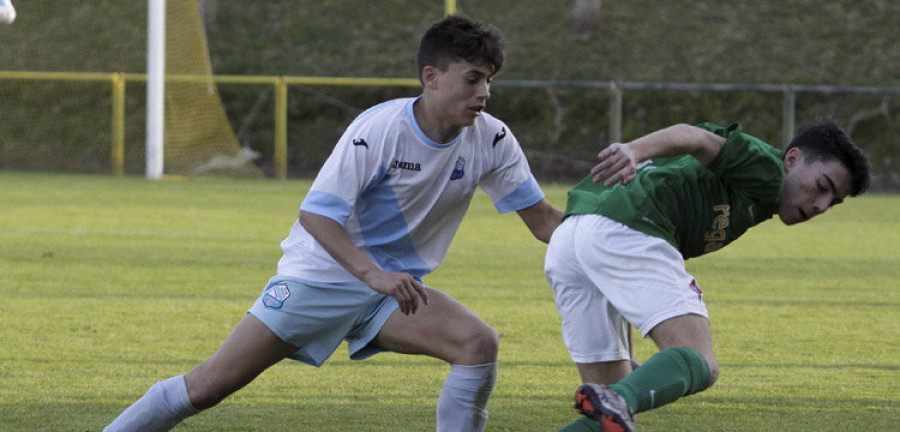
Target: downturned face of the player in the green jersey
(811, 187)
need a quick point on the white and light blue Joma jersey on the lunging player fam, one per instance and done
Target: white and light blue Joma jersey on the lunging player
(401, 196)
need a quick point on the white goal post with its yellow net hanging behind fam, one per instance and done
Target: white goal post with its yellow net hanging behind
(188, 131)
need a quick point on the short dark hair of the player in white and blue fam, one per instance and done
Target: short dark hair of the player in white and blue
(456, 38)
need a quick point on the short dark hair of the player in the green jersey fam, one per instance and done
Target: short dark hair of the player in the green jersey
(824, 140)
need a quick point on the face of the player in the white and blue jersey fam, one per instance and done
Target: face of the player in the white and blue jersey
(462, 91)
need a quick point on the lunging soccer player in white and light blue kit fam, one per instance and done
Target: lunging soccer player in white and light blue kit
(380, 216)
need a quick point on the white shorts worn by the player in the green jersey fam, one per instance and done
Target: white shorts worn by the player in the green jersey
(604, 276)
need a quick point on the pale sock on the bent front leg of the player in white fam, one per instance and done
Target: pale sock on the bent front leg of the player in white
(462, 405)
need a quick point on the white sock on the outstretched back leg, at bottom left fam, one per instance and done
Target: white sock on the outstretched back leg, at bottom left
(163, 406)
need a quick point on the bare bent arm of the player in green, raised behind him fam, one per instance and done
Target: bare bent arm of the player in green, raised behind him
(618, 162)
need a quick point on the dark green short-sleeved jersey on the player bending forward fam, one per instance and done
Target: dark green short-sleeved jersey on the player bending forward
(696, 208)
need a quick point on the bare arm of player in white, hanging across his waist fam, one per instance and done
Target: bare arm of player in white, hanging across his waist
(334, 238)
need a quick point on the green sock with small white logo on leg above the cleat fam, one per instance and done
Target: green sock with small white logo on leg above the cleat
(663, 378)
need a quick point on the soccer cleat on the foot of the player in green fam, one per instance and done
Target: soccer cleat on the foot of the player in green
(604, 406)
